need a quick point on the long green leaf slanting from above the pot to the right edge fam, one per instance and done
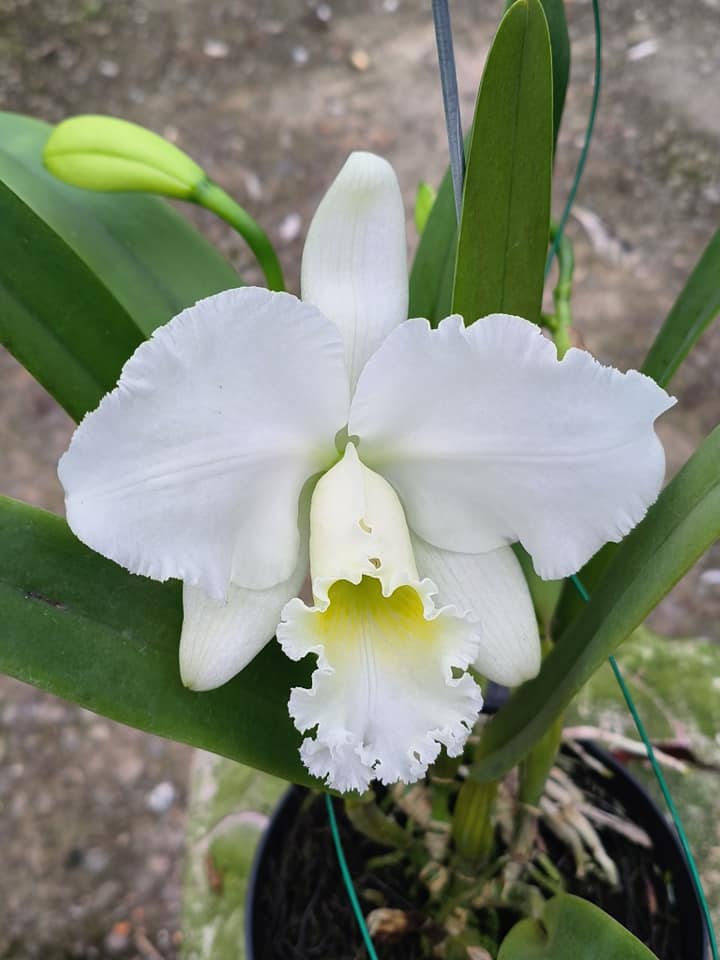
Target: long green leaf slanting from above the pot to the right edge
(675, 533)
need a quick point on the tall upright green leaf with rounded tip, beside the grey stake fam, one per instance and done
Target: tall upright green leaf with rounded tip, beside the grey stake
(506, 206)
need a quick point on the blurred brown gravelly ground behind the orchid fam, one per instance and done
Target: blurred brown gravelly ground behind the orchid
(270, 97)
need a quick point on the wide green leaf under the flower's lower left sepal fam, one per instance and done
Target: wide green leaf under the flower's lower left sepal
(83, 628)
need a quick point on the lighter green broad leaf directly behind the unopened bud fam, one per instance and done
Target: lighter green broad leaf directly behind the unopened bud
(150, 258)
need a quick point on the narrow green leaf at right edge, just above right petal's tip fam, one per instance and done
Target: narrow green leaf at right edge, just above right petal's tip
(695, 308)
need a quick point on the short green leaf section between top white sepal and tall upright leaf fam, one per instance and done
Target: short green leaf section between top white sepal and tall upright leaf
(434, 263)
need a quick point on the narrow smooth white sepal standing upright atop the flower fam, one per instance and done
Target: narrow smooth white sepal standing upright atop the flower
(354, 265)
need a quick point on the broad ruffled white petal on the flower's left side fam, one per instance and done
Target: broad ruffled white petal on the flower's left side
(193, 466)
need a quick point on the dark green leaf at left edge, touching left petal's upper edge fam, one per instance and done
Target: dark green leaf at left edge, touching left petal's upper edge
(55, 315)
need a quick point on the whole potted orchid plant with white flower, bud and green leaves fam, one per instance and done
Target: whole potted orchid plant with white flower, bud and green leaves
(382, 495)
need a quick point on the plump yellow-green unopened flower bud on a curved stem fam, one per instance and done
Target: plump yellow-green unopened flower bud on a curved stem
(105, 153)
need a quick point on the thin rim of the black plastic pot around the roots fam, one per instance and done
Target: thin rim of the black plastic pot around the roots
(640, 808)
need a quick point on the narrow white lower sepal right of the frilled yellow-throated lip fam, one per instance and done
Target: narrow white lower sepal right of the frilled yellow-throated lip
(492, 589)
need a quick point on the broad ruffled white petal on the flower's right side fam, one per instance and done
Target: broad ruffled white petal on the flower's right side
(488, 439)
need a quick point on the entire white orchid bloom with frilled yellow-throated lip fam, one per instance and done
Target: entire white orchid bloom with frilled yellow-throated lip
(257, 437)
